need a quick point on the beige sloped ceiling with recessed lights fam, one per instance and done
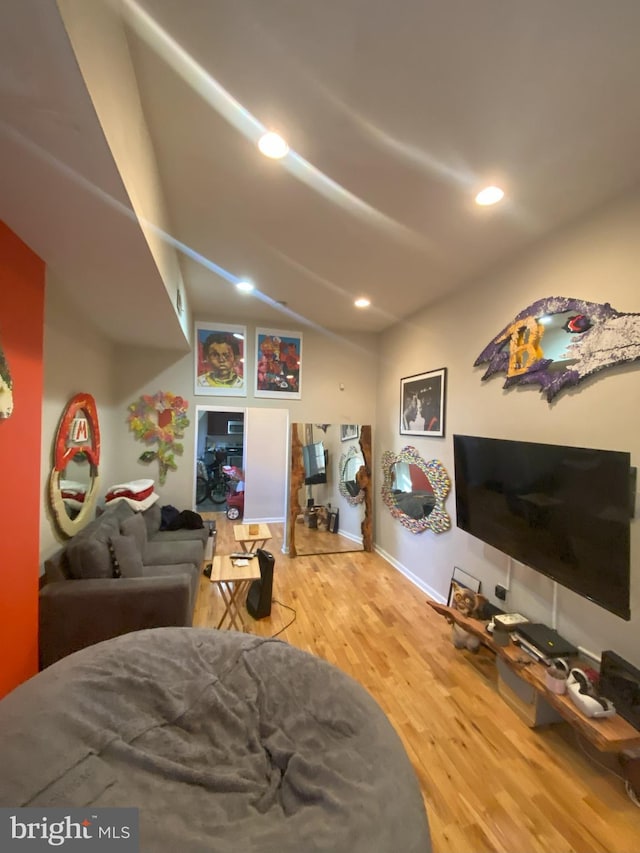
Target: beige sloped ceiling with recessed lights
(396, 114)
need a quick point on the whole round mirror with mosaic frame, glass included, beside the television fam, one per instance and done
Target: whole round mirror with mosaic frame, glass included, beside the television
(415, 490)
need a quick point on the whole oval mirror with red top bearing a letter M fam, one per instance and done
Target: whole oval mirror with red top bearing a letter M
(74, 479)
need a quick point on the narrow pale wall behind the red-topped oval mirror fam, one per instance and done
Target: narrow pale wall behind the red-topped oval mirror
(77, 359)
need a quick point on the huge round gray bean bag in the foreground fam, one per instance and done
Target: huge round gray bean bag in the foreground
(225, 742)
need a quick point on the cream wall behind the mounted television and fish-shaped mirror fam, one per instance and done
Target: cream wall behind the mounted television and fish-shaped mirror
(597, 260)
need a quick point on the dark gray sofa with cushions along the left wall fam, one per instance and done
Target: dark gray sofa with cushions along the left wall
(120, 573)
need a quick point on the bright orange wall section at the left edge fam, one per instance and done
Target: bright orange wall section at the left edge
(22, 282)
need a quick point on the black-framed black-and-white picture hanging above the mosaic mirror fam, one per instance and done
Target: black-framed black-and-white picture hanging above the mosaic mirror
(422, 402)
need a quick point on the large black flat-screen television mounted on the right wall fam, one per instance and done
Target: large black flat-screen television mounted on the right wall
(563, 511)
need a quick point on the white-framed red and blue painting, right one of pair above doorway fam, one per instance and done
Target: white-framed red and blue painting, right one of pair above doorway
(278, 364)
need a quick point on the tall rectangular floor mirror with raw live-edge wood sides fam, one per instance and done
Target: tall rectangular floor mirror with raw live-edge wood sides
(330, 506)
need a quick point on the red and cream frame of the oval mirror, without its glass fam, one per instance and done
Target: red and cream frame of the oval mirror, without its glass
(78, 433)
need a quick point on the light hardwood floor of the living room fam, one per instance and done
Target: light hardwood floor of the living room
(489, 782)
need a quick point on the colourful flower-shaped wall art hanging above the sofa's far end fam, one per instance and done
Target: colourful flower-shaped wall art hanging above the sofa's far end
(160, 419)
